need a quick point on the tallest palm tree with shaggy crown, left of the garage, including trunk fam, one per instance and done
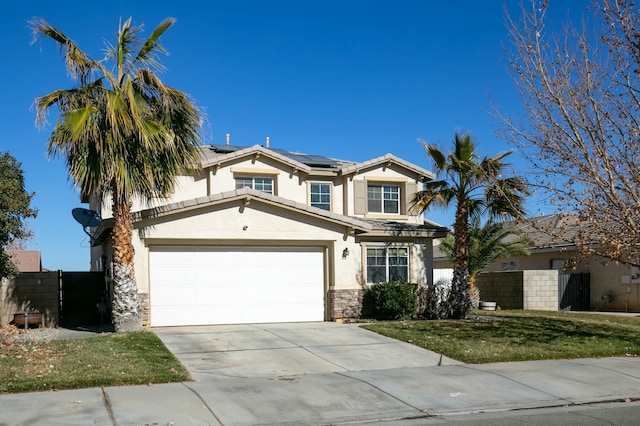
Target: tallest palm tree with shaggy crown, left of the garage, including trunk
(123, 134)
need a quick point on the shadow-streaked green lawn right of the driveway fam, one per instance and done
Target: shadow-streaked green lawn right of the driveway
(521, 335)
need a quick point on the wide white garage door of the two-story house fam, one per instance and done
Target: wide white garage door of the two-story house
(201, 285)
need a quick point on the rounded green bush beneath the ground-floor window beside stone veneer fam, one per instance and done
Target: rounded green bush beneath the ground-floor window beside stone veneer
(390, 301)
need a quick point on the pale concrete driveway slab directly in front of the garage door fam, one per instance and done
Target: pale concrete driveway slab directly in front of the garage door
(290, 349)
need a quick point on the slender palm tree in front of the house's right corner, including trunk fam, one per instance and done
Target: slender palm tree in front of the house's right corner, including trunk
(477, 188)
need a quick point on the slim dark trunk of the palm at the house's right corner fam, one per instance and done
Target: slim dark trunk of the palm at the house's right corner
(459, 297)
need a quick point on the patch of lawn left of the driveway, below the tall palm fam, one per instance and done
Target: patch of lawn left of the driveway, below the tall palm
(106, 360)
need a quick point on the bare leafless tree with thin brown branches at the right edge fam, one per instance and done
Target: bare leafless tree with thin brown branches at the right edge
(581, 97)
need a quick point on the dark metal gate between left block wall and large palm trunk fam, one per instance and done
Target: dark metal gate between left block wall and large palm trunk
(81, 295)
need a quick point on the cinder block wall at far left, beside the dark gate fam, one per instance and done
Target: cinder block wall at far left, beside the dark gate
(30, 291)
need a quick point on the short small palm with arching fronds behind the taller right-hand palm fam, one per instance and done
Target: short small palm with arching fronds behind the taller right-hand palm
(487, 244)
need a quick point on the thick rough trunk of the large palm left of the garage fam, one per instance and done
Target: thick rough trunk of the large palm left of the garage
(126, 304)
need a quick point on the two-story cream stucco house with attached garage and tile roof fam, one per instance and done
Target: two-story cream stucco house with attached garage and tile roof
(266, 235)
